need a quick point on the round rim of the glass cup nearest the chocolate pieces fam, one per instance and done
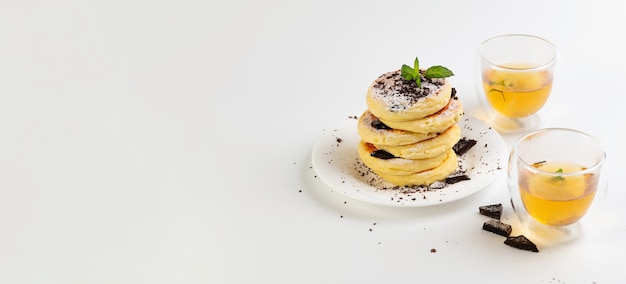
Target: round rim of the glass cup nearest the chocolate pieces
(533, 169)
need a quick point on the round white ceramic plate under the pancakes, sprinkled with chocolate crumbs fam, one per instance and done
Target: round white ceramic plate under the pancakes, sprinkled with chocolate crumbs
(336, 162)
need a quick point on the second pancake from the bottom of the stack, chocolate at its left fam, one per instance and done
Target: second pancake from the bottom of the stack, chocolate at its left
(396, 166)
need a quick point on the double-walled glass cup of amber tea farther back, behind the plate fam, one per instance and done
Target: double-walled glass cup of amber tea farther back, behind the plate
(514, 80)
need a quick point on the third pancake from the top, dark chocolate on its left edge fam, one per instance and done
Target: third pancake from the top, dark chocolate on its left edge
(372, 130)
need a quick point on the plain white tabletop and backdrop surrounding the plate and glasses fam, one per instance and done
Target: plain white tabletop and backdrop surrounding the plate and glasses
(169, 141)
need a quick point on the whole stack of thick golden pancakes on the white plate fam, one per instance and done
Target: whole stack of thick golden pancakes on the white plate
(408, 132)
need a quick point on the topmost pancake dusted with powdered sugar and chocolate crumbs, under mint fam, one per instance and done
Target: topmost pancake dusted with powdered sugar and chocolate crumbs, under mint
(392, 98)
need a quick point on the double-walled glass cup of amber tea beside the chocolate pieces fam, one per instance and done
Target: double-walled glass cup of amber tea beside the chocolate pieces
(554, 176)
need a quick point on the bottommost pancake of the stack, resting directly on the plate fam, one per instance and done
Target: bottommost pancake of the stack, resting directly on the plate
(439, 173)
